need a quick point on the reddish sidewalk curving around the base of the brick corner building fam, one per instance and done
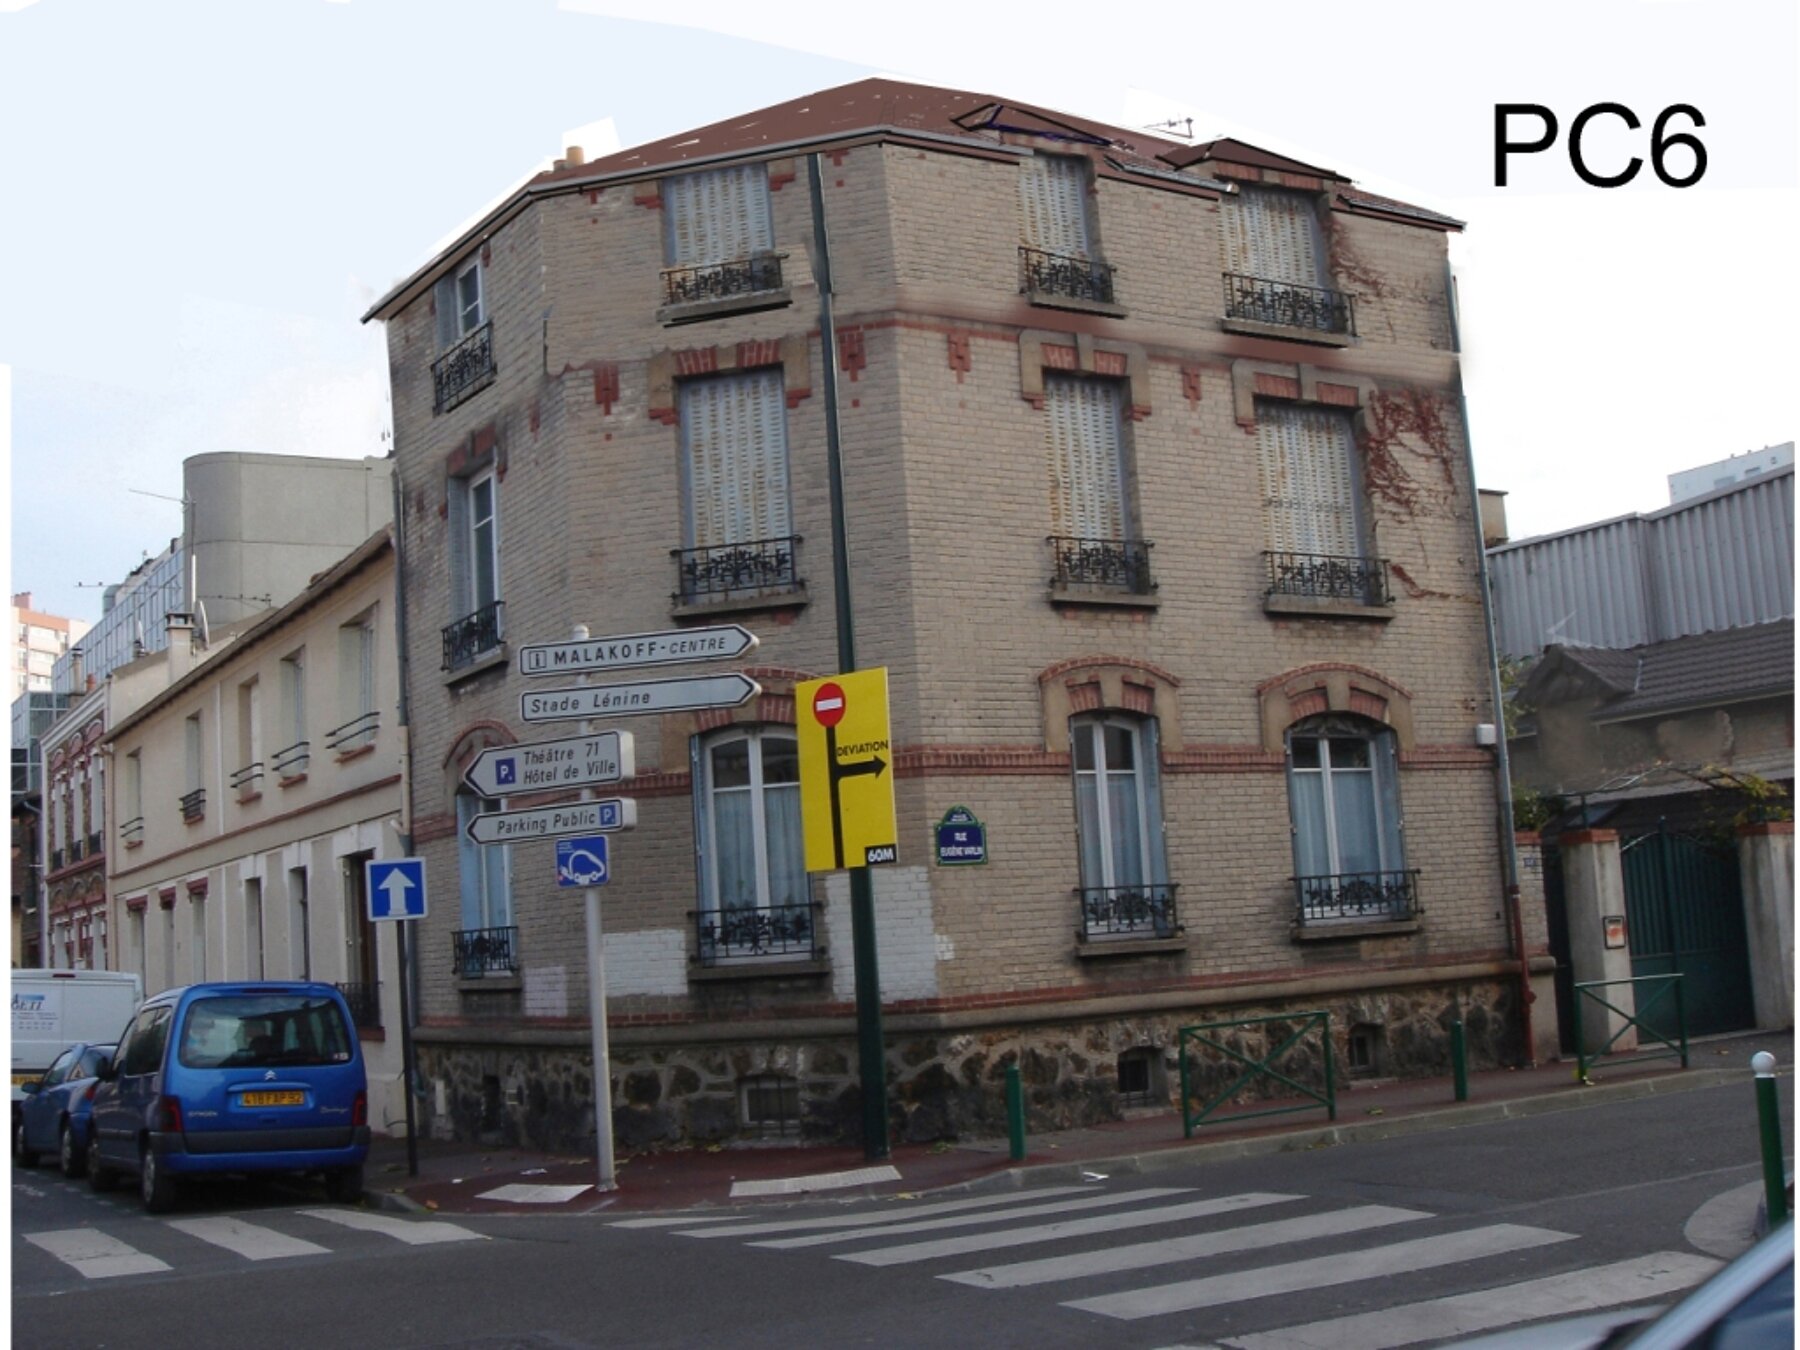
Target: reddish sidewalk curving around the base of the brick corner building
(460, 1178)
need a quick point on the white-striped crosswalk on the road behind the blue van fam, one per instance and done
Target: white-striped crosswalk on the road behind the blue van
(163, 1246)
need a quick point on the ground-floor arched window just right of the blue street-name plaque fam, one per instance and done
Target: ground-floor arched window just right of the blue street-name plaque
(1119, 807)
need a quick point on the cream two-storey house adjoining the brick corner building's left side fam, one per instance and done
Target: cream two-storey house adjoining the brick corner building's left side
(251, 784)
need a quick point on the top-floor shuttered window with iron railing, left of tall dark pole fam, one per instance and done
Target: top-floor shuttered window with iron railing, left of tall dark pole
(721, 237)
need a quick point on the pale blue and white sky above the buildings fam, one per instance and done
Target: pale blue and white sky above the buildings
(201, 199)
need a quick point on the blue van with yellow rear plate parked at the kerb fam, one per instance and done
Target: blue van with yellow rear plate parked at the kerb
(251, 1077)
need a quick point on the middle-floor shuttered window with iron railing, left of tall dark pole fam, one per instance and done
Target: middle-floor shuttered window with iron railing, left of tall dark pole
(739, 532)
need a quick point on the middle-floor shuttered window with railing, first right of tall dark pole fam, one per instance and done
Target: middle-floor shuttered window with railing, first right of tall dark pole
(1092, 537)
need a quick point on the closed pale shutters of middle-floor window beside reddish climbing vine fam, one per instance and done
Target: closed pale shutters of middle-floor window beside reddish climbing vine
(1308, 481)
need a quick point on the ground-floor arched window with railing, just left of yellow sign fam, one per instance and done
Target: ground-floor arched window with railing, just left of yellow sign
(755, 899)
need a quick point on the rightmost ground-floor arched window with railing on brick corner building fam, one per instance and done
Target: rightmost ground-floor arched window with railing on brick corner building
(1345, 804)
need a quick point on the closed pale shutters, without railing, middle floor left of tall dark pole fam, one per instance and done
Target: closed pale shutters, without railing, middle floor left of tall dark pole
(735, 431)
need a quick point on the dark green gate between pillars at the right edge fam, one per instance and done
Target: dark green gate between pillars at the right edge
(1686, 917)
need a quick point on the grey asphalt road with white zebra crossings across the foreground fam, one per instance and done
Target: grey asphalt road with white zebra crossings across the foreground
(1392, 1243)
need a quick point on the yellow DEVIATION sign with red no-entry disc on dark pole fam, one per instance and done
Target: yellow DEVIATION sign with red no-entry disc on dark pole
(847, 784)
